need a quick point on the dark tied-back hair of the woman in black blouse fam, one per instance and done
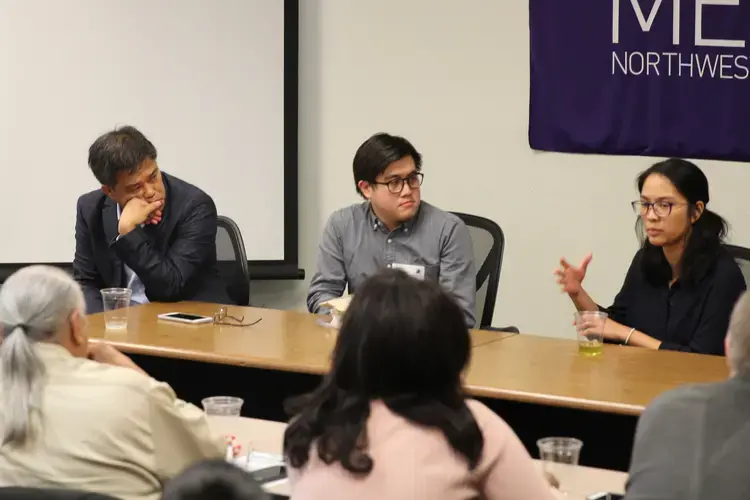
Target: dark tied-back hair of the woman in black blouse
(704, 241)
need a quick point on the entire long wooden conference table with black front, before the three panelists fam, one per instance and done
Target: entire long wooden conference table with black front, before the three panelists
(540, 386)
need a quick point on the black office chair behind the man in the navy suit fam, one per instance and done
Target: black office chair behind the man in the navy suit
(230, 253)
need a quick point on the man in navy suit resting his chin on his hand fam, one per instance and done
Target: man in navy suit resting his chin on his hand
(144, 230)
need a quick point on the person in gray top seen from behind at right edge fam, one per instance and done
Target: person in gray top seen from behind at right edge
(694, 442)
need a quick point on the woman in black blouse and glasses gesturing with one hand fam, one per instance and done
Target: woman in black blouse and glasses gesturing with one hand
(681, 287)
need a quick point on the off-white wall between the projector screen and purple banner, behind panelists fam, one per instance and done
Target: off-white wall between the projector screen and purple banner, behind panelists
(453, 77)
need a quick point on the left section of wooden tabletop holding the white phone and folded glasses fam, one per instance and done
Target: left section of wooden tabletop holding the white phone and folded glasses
(283, 340)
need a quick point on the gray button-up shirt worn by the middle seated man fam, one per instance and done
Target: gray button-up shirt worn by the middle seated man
(356, 245)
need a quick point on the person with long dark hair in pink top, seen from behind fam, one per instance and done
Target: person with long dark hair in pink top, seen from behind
(391, 421)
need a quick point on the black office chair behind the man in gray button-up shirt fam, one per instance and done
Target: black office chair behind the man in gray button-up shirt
(489, 243)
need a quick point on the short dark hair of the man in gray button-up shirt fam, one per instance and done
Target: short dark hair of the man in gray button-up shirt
(376, 153)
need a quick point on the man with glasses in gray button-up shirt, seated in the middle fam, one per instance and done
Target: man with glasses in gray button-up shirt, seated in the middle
(394, 229)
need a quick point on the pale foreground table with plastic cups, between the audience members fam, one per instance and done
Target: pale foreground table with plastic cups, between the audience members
(268, 437)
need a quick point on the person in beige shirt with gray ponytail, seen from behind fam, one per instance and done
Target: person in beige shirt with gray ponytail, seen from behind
(83, 416)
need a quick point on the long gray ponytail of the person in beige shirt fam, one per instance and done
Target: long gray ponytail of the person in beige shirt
(21, 372)
